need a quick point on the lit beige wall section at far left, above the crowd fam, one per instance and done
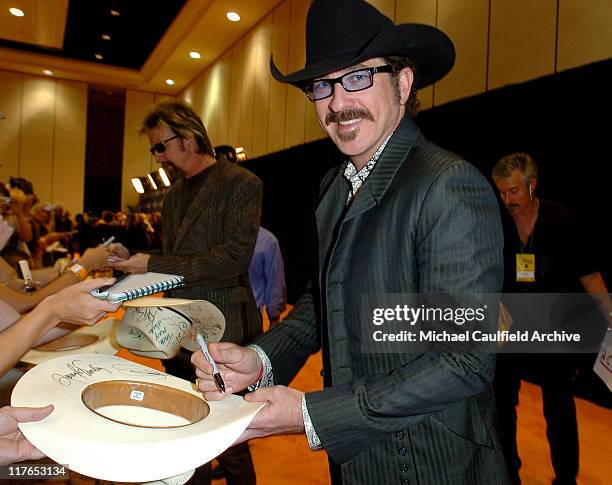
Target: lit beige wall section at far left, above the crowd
(43, 136)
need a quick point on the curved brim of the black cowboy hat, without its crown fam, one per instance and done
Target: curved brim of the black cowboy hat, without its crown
(430, 49)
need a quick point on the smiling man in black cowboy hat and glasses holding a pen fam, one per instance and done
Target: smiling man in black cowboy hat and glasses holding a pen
(400, 215)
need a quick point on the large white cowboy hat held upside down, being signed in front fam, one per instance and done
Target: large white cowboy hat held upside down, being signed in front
(117, 420)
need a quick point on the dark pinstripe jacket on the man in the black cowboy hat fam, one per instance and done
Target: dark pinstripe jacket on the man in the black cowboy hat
(423, 221)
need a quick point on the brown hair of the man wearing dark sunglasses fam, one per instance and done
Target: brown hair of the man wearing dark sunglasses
(182, 120)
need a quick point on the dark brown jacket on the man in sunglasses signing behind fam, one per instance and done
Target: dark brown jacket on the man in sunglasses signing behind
(212, 244)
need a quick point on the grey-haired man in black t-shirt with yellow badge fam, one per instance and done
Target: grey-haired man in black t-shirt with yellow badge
(545, 251)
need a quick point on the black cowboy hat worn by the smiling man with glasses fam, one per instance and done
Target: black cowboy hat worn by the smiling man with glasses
(342, 33)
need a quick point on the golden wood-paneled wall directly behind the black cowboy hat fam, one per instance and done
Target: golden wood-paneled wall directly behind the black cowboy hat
(498, 42)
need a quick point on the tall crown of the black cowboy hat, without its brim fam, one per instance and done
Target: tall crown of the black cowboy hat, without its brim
(341, 29)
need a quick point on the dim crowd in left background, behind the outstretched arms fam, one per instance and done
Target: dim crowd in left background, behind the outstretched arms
(45, 232)
